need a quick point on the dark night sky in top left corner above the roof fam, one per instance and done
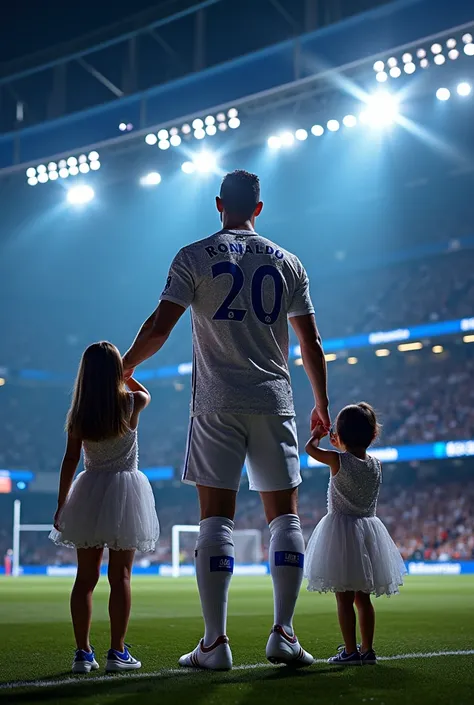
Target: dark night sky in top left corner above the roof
(29, 26)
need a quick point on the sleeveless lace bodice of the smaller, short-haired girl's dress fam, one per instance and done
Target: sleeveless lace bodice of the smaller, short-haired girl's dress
(355, 488)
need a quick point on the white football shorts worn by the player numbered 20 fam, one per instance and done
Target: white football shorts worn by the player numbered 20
(220, 444)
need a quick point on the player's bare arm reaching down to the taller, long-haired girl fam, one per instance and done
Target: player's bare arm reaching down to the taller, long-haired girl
(153, 334)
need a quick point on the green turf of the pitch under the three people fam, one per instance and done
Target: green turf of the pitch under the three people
(431, 614)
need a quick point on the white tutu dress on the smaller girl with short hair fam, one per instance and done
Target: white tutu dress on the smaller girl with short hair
(350, 549)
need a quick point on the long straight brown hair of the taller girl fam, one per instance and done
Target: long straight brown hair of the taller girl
(99, 407)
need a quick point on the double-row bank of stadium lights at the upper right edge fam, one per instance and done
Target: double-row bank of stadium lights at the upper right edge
(384, 70)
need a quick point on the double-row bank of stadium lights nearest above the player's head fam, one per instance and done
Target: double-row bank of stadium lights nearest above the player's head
(199, 129)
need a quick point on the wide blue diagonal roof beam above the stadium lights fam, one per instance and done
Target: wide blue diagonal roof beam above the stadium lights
(265, 75)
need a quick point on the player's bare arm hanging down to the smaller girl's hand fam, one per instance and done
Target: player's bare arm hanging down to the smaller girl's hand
(314, 364)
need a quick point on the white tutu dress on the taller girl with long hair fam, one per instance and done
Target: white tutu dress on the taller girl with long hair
(110, 503)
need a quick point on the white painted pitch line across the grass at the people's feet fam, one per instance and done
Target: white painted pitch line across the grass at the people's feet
(186, 671)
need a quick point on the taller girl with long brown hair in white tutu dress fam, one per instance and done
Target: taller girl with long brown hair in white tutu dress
(110, 504)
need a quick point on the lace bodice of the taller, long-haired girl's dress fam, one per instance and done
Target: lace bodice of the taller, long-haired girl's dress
(118, 454)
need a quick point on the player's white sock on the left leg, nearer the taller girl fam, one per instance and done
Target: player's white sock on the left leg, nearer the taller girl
(214, 567)
